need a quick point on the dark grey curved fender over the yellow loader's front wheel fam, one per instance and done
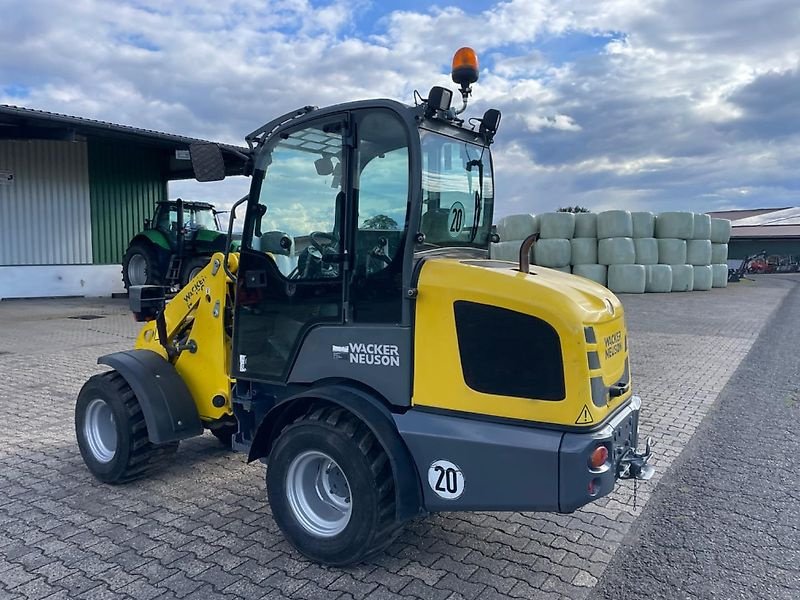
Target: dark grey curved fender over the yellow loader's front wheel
(168, 408)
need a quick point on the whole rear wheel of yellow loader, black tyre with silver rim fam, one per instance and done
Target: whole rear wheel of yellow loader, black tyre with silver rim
(331, 488)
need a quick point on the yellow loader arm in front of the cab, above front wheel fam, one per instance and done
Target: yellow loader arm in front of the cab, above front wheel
(198, 326)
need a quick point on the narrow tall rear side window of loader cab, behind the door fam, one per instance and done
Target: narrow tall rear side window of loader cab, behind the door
(381, 189)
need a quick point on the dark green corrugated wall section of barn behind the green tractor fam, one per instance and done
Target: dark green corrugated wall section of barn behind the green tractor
(125, 182)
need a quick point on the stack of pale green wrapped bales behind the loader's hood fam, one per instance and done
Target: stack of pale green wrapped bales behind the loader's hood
(628, 252)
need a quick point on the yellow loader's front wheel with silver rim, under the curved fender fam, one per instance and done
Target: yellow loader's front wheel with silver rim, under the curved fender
(111, 431)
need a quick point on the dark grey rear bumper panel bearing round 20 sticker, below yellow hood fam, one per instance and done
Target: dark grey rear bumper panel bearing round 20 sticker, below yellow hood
(509, 467)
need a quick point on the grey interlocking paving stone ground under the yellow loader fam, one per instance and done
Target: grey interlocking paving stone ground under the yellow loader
(201, 527)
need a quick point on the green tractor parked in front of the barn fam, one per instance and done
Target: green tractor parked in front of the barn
(174, 245)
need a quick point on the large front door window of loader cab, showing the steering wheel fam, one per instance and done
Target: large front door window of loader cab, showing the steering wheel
(301, 202)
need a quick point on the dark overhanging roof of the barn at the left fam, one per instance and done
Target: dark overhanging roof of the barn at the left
(27, 123)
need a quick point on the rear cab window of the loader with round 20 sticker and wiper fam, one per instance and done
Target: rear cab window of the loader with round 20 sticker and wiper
(457, 192)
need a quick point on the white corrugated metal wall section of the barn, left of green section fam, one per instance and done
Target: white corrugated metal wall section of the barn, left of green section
(45, 209)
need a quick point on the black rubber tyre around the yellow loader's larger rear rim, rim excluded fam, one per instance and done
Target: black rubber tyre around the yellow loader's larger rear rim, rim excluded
(363, 461)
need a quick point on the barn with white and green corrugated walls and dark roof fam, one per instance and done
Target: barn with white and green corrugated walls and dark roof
(73, 191)
